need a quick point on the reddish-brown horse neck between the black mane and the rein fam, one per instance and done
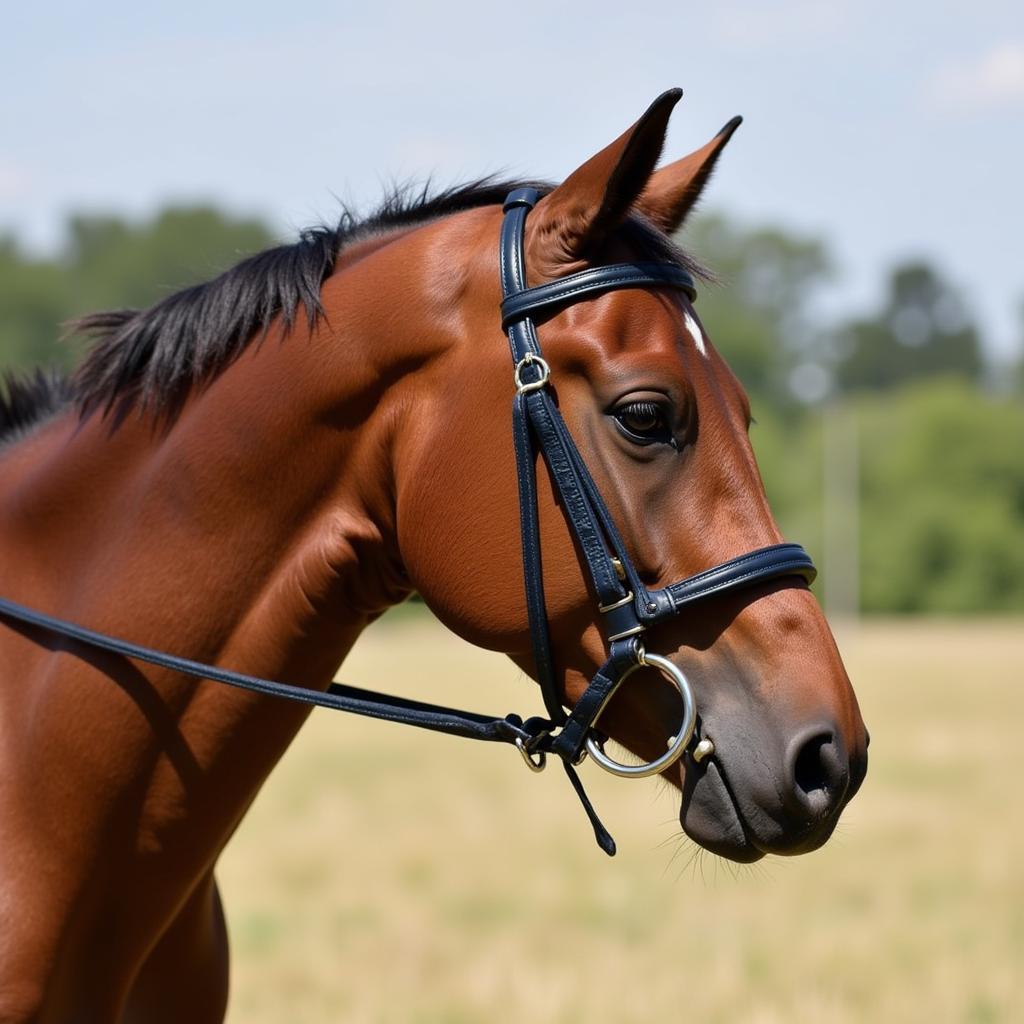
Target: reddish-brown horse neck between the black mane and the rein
(258, 531)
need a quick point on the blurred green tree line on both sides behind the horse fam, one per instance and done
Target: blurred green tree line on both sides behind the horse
(938, 433)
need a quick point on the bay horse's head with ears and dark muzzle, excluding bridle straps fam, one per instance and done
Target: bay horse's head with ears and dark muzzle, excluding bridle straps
(663, 426)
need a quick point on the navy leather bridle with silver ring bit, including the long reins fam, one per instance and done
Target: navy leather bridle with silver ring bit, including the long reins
(627, 608)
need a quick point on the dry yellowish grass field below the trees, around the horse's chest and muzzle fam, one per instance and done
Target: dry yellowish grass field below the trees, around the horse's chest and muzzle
(386, 875)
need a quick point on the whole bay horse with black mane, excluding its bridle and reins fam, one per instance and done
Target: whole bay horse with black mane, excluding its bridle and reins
(251, 472)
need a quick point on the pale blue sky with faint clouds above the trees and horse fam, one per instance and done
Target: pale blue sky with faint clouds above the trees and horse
(893, 130)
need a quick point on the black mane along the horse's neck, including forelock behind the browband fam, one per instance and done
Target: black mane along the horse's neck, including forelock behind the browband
(152, 360)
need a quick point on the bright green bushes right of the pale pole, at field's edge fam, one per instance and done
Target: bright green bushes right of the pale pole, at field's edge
(943, 501)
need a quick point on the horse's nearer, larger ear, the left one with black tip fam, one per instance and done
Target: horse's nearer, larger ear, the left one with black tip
(572, 221)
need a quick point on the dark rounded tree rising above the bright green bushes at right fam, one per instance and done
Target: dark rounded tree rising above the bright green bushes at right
(923, 330)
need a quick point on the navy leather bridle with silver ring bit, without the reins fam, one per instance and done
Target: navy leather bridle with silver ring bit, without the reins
(626, 606)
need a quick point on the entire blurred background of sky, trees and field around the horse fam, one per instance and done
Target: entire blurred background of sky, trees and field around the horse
(866, 224)
